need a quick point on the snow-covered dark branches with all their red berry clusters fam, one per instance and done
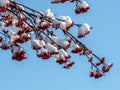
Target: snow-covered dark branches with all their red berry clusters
(20, 24)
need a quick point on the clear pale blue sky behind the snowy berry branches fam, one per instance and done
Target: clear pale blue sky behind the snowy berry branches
(36, 74)
